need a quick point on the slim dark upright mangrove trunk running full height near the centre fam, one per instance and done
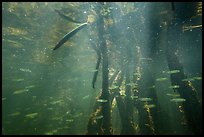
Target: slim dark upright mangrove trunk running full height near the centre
(105, 127)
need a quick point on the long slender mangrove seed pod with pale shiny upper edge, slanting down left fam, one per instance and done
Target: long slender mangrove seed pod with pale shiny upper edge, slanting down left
(69, 35)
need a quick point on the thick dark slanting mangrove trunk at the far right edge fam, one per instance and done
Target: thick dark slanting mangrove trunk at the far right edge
(191, 105)
